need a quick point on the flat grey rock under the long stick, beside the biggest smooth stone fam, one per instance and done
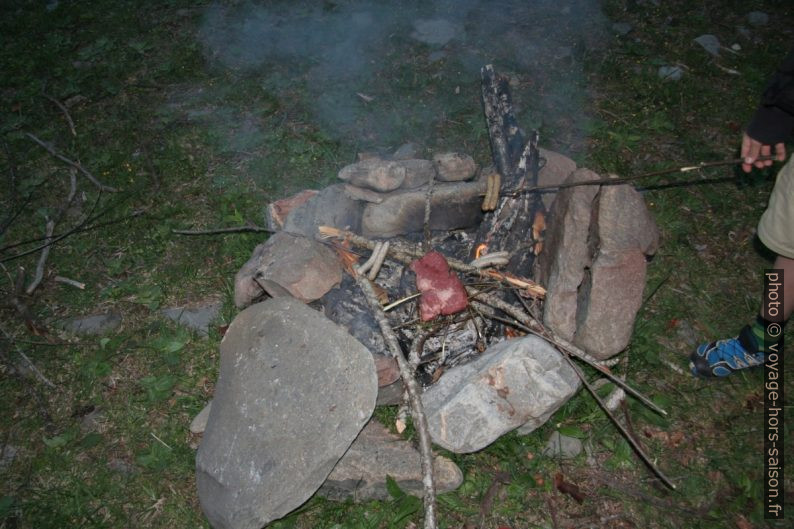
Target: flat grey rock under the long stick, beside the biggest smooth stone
(375, 454)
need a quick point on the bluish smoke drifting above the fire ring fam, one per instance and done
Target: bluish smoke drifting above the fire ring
(395, 71)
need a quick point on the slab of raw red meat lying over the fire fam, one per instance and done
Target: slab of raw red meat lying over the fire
(442, 291)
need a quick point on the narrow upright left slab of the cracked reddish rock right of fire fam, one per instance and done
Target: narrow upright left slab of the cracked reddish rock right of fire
(566, 254)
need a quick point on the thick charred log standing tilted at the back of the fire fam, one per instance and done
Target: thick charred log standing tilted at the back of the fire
(516, 223)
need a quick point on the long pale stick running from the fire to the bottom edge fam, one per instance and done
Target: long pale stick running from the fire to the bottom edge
(414, 397)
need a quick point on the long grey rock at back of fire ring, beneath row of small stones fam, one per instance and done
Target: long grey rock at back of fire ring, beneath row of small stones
(453, 206)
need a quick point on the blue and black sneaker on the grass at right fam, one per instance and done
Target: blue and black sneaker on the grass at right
(723, 357)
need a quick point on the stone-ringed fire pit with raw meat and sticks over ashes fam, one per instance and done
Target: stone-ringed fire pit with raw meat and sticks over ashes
(452, 250)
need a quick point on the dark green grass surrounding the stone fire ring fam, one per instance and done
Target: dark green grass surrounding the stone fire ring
(192, 142)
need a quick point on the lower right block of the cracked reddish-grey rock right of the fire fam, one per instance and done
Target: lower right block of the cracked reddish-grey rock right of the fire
(609, 302)
